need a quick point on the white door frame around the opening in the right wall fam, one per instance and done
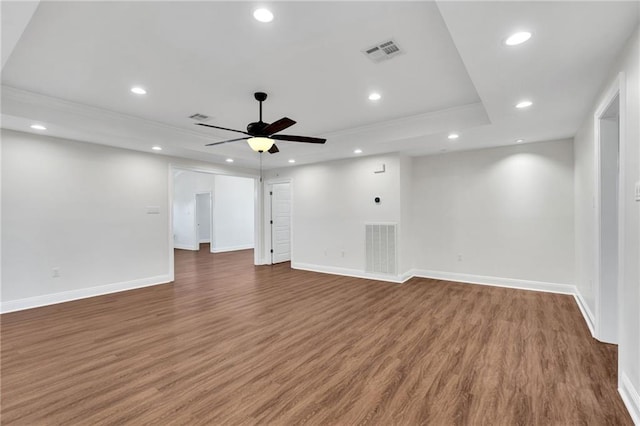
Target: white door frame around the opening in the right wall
(616, 90)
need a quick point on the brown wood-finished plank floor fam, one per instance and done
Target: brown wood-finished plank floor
(230, 343)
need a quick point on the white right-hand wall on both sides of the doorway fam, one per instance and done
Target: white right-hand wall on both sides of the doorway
(585, 173)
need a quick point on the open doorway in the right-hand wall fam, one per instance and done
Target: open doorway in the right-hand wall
(607, 122)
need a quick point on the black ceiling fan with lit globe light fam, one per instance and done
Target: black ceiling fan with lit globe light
(261, 135)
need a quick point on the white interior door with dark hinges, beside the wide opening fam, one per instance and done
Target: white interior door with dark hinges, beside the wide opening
(280, 194)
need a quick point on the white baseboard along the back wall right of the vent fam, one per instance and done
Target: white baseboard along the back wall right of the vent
(496, 281)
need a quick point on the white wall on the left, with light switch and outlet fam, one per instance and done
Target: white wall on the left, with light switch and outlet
(83, 209)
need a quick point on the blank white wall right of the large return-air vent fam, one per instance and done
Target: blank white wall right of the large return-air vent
(497, 213)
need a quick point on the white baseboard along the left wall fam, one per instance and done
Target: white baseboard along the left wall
(81, 293)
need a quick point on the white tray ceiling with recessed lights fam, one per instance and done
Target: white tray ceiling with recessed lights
(73, 65)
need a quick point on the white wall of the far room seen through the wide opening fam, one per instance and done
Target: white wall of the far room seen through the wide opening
(233, 210)
